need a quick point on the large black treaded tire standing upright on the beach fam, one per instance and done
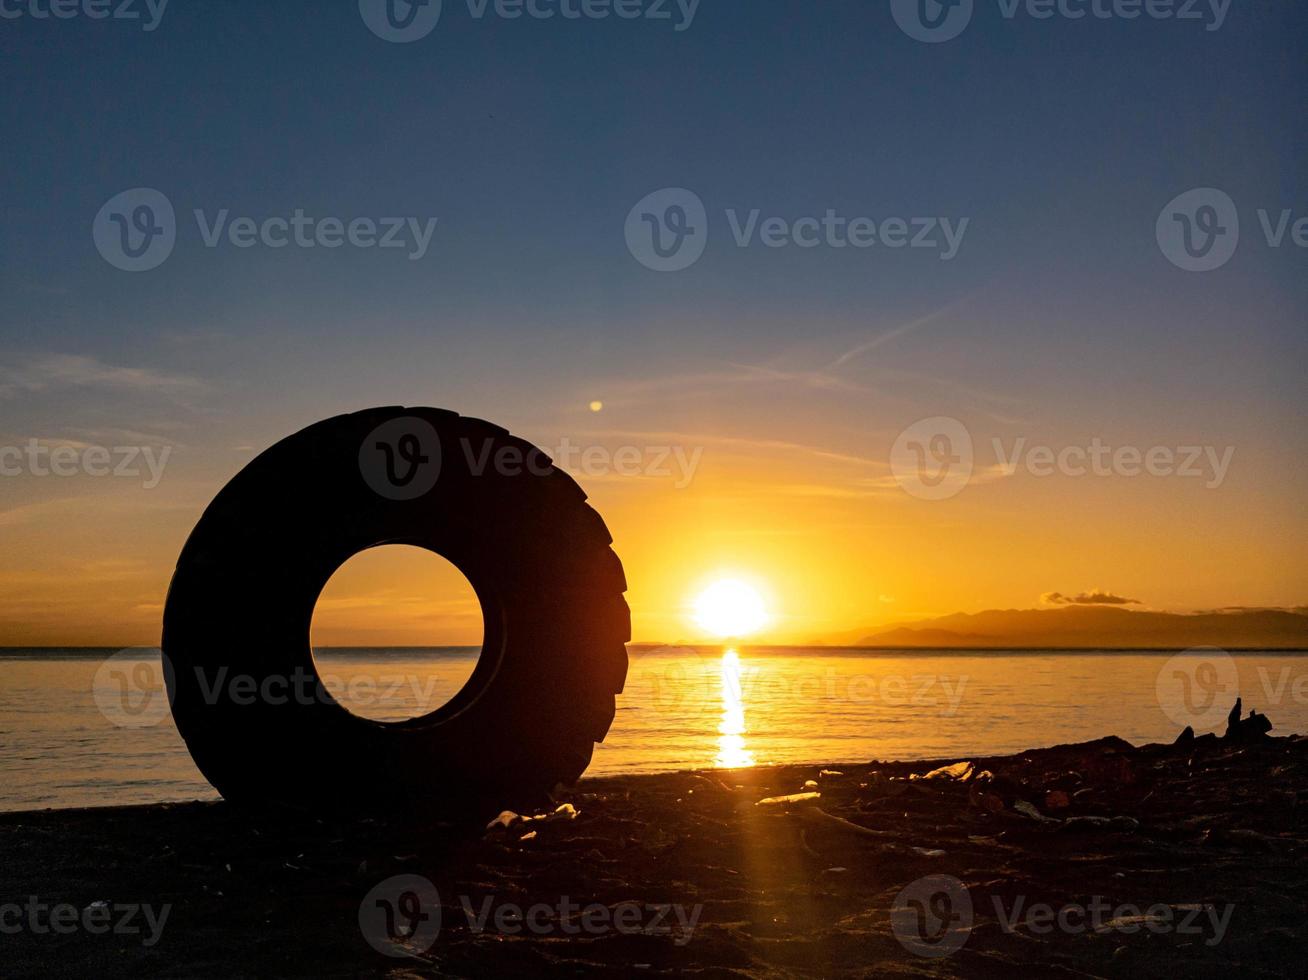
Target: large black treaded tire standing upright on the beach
(538, 557)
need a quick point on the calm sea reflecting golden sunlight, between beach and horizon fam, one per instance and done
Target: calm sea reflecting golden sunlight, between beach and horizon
(90, 727)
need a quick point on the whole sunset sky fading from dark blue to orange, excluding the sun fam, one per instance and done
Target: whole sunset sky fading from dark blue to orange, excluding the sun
(778, 389)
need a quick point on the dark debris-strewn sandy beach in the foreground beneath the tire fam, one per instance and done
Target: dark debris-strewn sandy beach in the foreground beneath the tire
(784, 889)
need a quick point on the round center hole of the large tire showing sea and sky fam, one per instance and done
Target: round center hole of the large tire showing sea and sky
(397, 633)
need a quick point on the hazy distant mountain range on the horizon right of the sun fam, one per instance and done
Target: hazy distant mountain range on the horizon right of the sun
(1101, 627)
